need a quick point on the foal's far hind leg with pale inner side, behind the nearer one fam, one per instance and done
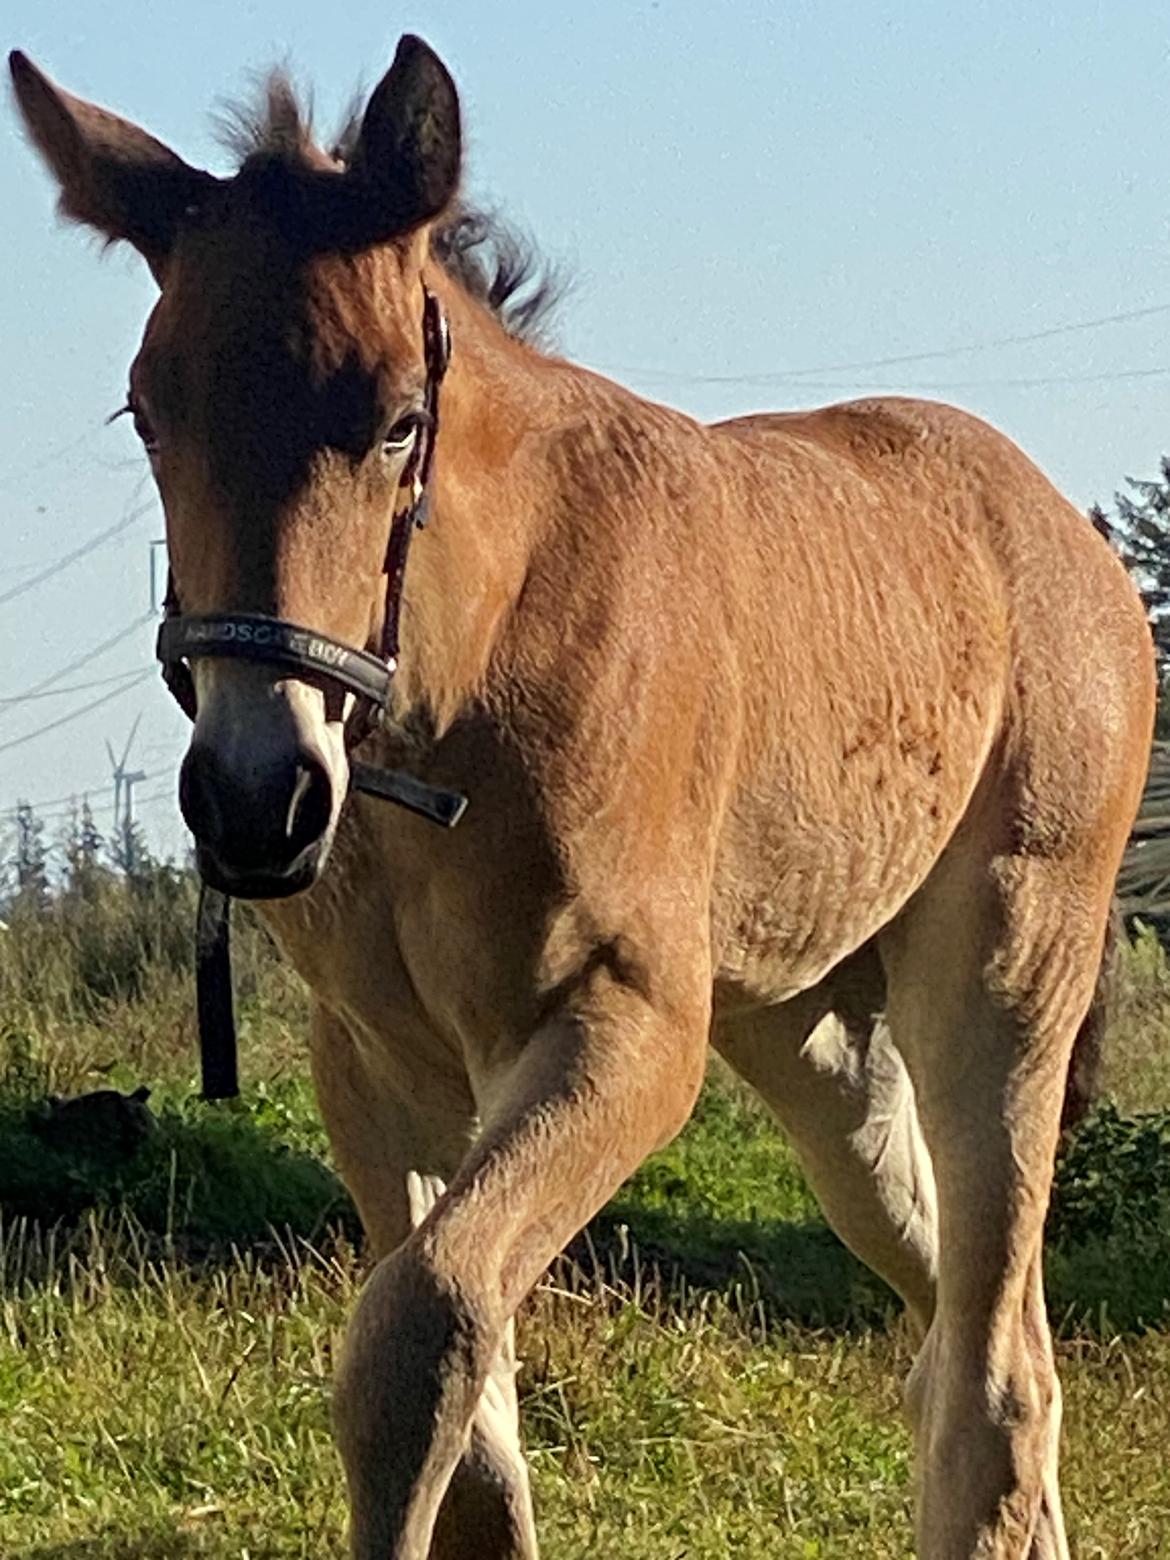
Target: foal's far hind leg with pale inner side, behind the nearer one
(842, 1093)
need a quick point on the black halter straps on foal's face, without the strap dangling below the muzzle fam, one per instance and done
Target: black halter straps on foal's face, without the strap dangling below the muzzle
(255, 637)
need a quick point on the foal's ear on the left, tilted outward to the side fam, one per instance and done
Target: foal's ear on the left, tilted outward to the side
(113, 175)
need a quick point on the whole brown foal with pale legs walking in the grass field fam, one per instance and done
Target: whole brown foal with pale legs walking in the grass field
(767, 726)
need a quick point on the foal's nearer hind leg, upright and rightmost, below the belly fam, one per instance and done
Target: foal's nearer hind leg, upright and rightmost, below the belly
(991, 971)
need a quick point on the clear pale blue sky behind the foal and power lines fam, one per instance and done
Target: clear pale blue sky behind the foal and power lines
(740, 193)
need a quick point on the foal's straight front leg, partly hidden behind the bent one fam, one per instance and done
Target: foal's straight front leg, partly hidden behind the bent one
(391, 1157)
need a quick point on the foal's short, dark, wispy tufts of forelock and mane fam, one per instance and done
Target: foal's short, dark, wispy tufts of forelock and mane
(491, 260)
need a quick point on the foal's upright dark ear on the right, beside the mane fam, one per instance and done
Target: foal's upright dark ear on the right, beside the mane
(408, 154)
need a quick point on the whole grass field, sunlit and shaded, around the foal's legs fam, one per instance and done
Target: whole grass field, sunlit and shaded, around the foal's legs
(709, 1375)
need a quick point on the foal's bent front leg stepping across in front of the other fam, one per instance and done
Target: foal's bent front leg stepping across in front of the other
(604, 1080)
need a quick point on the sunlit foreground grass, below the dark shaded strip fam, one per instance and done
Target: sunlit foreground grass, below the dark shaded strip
(157, 1411)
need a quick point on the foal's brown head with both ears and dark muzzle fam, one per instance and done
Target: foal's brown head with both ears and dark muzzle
(280, 392)
